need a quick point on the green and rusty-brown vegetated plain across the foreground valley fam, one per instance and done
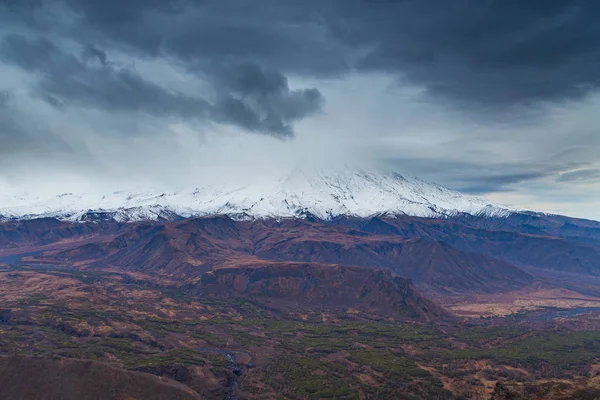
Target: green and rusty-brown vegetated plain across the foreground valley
(299, 358)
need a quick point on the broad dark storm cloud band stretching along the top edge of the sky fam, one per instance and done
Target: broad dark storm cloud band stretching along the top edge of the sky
(486, 52)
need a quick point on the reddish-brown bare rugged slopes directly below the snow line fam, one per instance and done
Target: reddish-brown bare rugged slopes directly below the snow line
(186, 249)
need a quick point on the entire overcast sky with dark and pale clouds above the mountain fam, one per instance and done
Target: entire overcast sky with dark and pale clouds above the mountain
(498, 98)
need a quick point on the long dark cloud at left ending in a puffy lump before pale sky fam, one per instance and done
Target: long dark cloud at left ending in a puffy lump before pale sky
(264, 102)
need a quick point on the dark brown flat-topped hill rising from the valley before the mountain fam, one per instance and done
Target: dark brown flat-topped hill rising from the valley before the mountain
(304, 285)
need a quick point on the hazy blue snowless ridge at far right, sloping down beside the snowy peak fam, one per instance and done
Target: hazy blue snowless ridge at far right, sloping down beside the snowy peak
(523, 239)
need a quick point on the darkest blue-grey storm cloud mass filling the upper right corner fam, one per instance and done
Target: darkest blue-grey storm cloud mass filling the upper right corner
(486, 52)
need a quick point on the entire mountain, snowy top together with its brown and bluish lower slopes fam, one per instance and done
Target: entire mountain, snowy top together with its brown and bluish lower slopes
(442, 240)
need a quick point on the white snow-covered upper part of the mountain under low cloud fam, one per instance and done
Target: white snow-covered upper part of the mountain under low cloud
(319, 192)
